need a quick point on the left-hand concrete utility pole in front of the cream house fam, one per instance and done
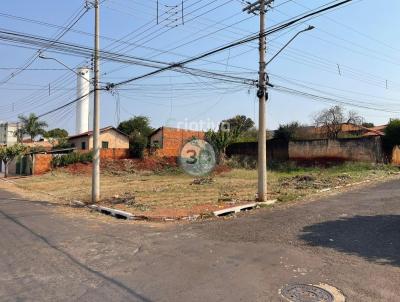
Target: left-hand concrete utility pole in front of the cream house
(96, 108)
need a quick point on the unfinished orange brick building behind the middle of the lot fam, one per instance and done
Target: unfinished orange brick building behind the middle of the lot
(169, 141)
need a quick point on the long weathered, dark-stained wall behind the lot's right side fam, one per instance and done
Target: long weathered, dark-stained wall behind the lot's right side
(367, 149)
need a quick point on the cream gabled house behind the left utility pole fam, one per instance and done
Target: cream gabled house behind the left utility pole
(110, 138)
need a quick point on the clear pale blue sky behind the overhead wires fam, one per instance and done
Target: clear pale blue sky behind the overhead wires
(352, 55)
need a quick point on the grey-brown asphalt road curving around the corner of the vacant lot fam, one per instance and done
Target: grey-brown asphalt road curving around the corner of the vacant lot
(350, 241)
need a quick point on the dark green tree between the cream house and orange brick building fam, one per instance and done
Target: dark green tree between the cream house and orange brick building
(138, 129)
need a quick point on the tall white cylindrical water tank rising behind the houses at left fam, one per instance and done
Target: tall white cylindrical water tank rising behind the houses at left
(82, 106)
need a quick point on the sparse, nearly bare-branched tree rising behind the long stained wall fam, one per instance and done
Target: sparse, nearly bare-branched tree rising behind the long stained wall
(332, 119)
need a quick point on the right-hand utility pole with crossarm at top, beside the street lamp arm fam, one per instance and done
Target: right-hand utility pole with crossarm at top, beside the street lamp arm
(262, 94)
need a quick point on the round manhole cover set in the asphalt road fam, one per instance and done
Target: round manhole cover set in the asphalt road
(306, 293)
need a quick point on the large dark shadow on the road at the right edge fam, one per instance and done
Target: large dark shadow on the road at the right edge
(375, 238)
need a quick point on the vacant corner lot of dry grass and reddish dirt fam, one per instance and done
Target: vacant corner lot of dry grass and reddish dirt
(167, 192)
